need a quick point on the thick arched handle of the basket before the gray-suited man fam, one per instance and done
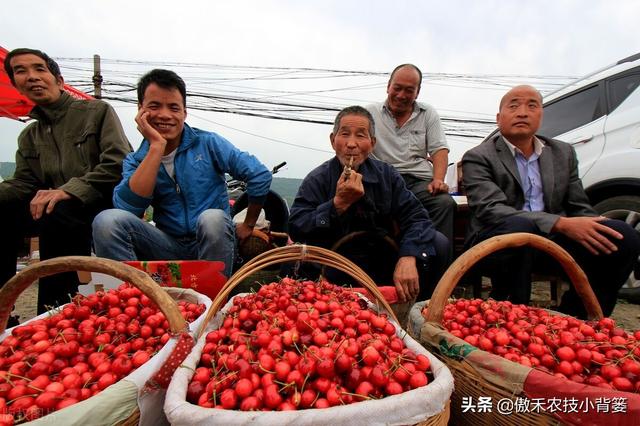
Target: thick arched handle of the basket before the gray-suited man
(469, 258)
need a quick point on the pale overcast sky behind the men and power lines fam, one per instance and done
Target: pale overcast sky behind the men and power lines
(501, 37)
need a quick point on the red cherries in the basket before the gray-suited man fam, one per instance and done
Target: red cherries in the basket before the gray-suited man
(595, 353)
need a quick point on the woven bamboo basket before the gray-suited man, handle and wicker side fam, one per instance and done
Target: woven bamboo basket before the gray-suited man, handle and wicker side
(468, 381)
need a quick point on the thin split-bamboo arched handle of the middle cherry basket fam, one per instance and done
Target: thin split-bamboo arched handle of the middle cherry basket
(291, 253)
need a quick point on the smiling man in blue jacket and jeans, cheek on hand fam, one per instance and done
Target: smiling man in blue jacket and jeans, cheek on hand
(180, 171)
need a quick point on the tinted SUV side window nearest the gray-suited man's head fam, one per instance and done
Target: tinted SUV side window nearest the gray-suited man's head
(571, 112)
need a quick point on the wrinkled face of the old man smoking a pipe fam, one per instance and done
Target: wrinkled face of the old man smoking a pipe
(353, 140)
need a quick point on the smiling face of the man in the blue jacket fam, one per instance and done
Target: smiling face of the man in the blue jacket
(166, 111)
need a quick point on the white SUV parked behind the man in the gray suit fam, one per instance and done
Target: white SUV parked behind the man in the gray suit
(599, 115)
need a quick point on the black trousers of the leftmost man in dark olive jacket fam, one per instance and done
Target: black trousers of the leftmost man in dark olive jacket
(64, 232)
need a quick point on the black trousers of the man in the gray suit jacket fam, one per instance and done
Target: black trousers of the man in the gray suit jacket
(511, 268)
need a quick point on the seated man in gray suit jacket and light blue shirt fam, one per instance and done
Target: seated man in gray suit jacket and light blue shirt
(519, 182)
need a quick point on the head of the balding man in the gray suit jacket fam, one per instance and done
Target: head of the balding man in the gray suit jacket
(520, 113)
